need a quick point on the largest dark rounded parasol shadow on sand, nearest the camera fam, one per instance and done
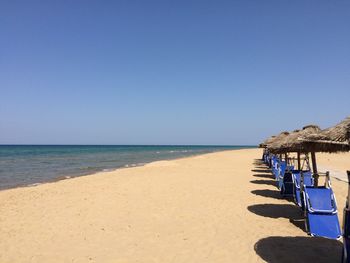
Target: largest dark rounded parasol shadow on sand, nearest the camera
(277, 249)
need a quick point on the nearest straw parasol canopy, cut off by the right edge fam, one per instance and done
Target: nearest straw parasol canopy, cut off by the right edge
(333, 139)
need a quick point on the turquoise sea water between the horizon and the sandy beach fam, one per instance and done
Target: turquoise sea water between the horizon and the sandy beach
(22, 165)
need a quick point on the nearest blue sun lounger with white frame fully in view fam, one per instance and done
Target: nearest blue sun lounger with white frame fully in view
(321, 211)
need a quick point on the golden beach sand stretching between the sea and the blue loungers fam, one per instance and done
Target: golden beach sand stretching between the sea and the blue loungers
(218, 207)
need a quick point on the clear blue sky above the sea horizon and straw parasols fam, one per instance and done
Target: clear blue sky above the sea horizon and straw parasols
(170, 72)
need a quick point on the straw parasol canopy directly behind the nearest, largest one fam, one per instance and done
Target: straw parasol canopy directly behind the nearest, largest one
(291, 143)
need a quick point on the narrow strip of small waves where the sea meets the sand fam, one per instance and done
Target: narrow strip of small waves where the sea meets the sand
(107, 170)
